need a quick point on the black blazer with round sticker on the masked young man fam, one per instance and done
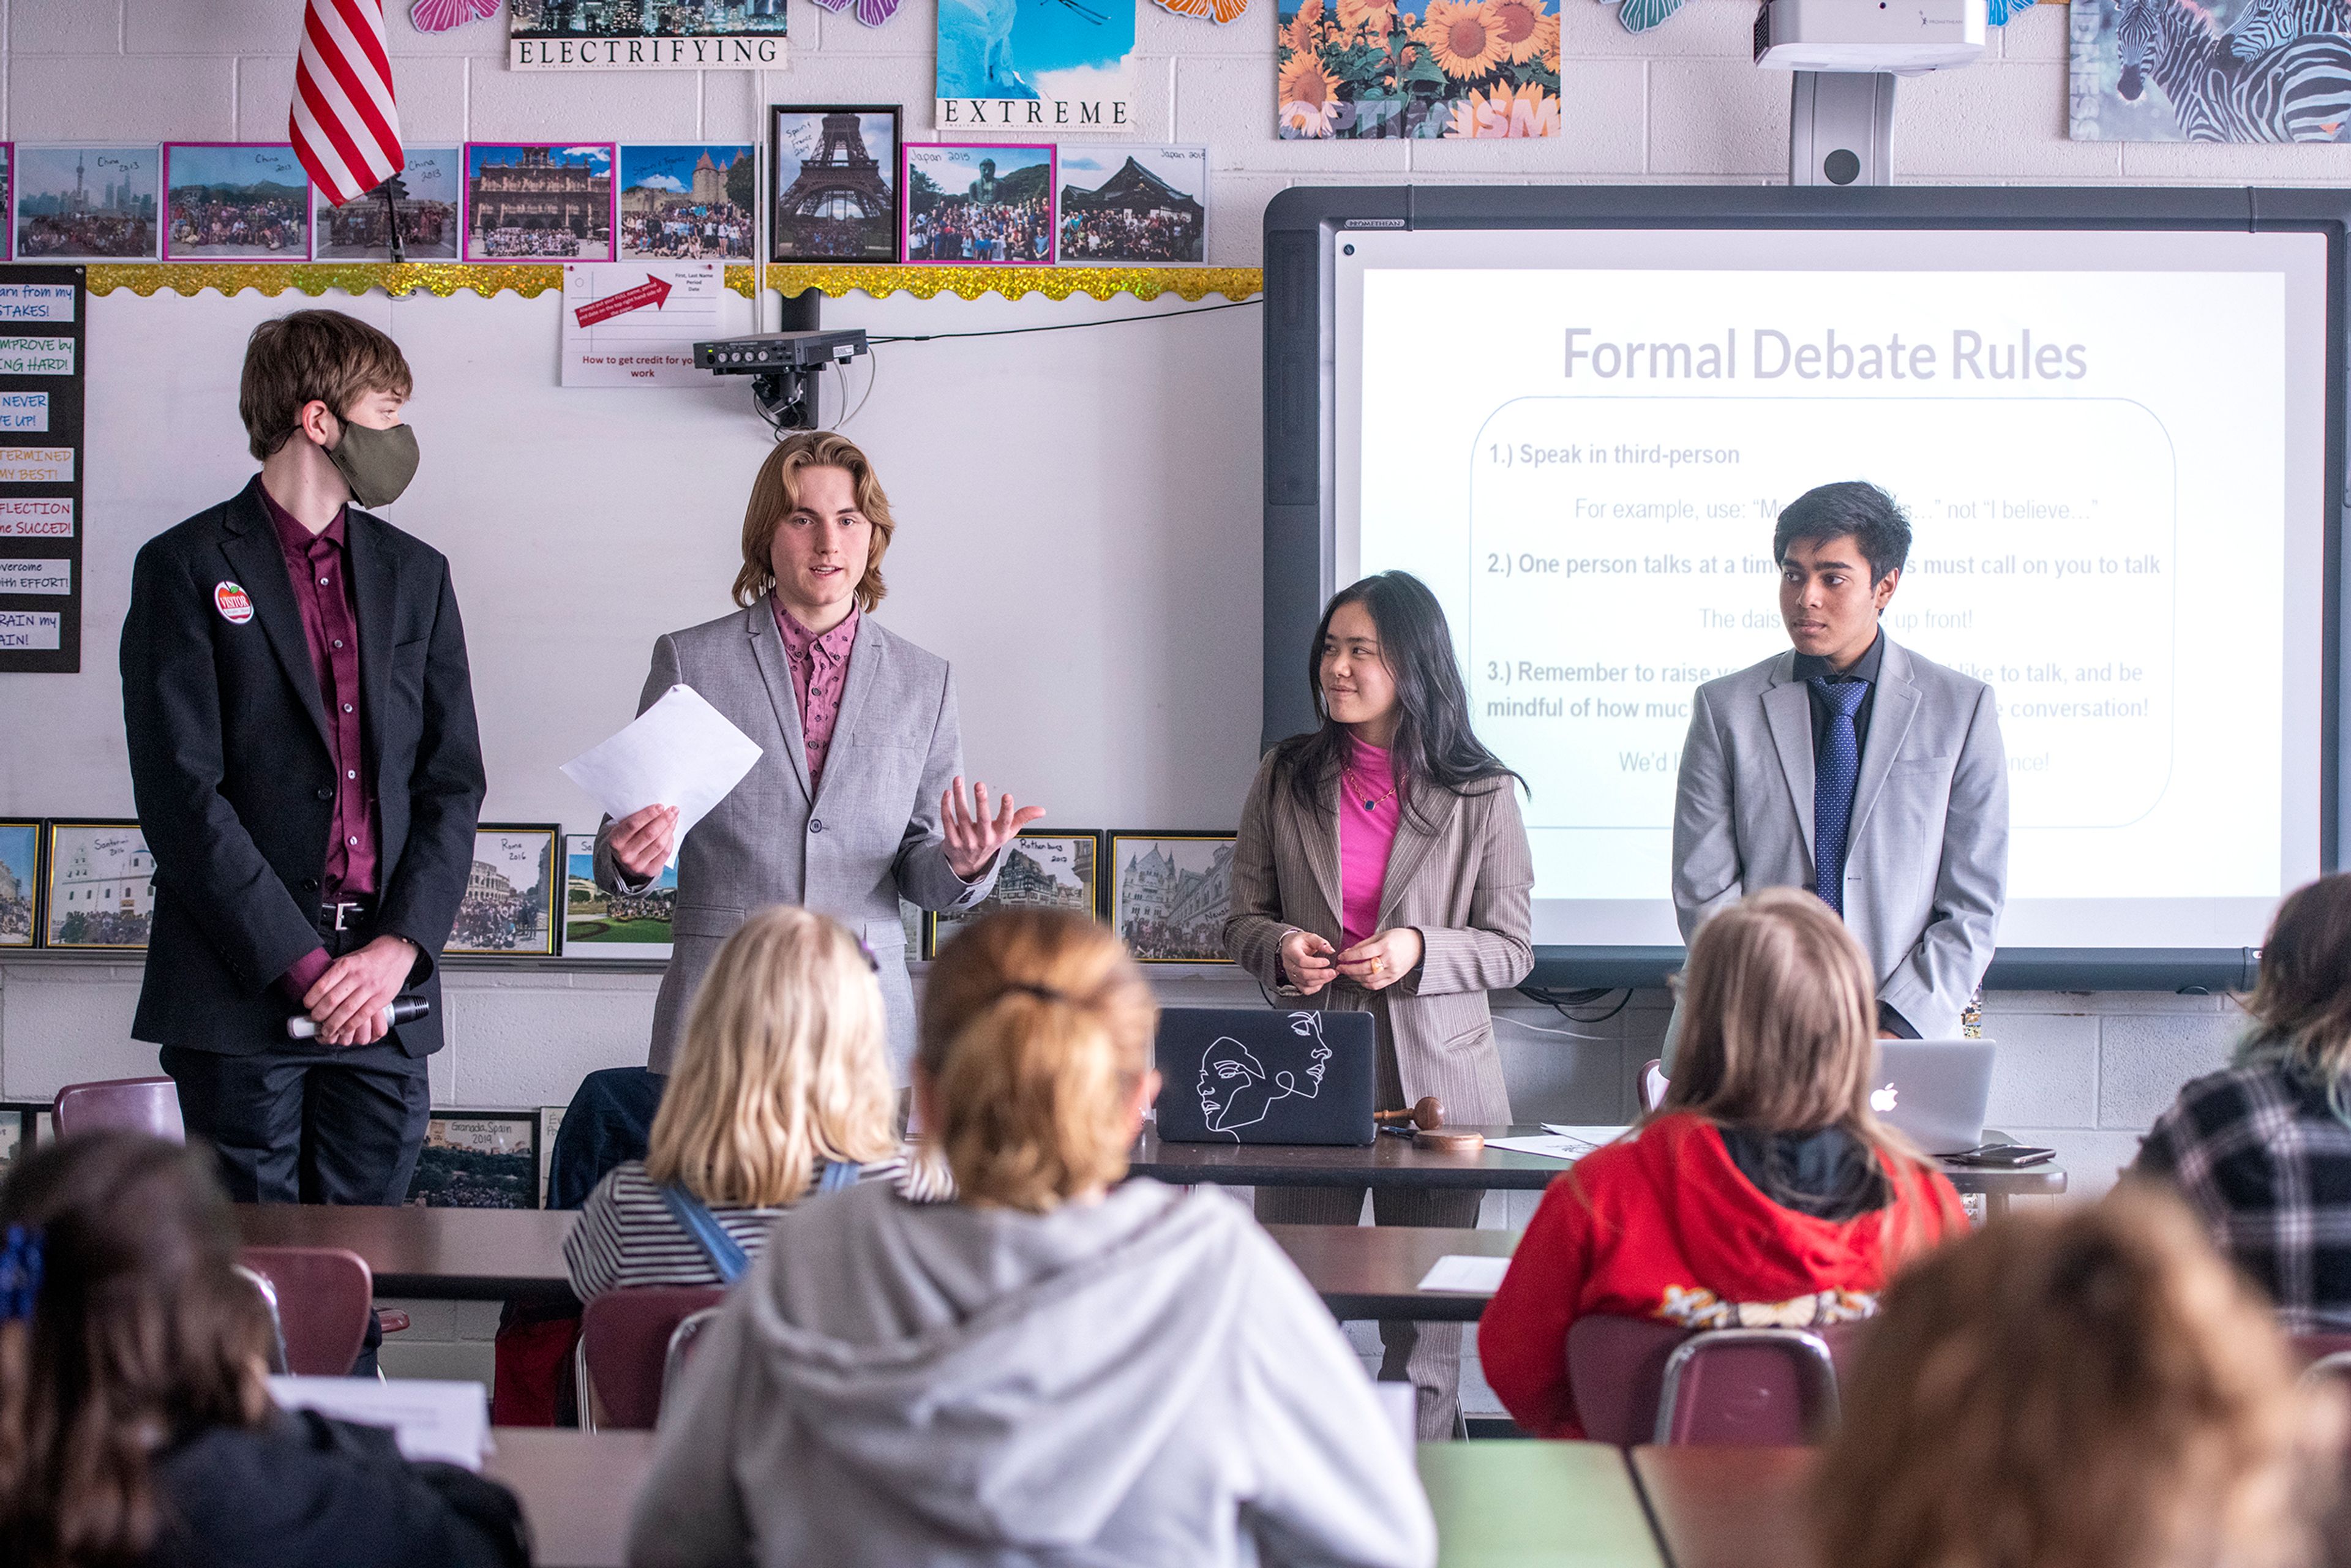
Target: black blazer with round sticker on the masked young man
(236, 784)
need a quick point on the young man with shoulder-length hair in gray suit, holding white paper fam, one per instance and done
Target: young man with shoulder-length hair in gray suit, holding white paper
(859, 796)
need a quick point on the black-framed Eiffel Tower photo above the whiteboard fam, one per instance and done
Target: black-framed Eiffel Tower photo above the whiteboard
(833, 189)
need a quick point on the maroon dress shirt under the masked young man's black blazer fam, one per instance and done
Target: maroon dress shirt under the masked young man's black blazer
(321, 572)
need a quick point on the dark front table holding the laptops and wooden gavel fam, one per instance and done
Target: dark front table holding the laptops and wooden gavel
(1398, 1162)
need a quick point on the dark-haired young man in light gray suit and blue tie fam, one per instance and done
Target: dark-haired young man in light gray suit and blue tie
(1856, 770)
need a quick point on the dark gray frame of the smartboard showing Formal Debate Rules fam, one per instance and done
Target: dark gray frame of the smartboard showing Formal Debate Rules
(1301, 408)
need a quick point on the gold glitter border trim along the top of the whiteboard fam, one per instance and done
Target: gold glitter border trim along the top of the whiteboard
(446, 279)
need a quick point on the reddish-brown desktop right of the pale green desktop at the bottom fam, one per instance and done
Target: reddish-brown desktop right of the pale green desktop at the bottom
(1729, 1508)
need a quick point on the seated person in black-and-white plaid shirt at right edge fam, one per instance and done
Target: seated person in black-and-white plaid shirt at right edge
(2263, 1151)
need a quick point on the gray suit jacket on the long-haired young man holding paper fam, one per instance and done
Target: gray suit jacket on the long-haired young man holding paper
(845, 850)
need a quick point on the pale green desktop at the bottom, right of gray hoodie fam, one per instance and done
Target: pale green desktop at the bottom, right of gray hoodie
(1536, 1506)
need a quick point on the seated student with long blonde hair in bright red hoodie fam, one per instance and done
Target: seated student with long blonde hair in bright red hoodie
(1760, 1195)
